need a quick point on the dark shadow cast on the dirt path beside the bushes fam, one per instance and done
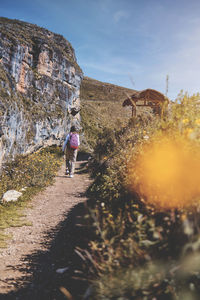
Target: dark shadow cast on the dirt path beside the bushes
(42, 279)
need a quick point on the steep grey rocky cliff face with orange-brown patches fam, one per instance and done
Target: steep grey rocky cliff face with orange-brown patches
(39, 88)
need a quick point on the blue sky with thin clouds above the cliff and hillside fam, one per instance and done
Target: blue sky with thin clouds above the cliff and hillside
(132, 43)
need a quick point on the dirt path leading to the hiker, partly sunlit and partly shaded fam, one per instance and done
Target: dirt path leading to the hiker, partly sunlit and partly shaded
(32, 245)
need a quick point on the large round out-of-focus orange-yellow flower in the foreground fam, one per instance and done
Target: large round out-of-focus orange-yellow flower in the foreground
(166, 172)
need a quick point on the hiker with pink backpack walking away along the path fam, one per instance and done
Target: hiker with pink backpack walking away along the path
(70, 149)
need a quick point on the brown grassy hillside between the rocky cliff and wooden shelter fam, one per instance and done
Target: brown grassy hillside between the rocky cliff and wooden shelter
(101, 107)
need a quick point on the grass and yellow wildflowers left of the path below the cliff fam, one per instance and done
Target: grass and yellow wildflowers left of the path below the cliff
(29, 173)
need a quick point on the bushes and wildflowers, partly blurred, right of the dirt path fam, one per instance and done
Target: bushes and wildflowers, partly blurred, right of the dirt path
(145, 247)
